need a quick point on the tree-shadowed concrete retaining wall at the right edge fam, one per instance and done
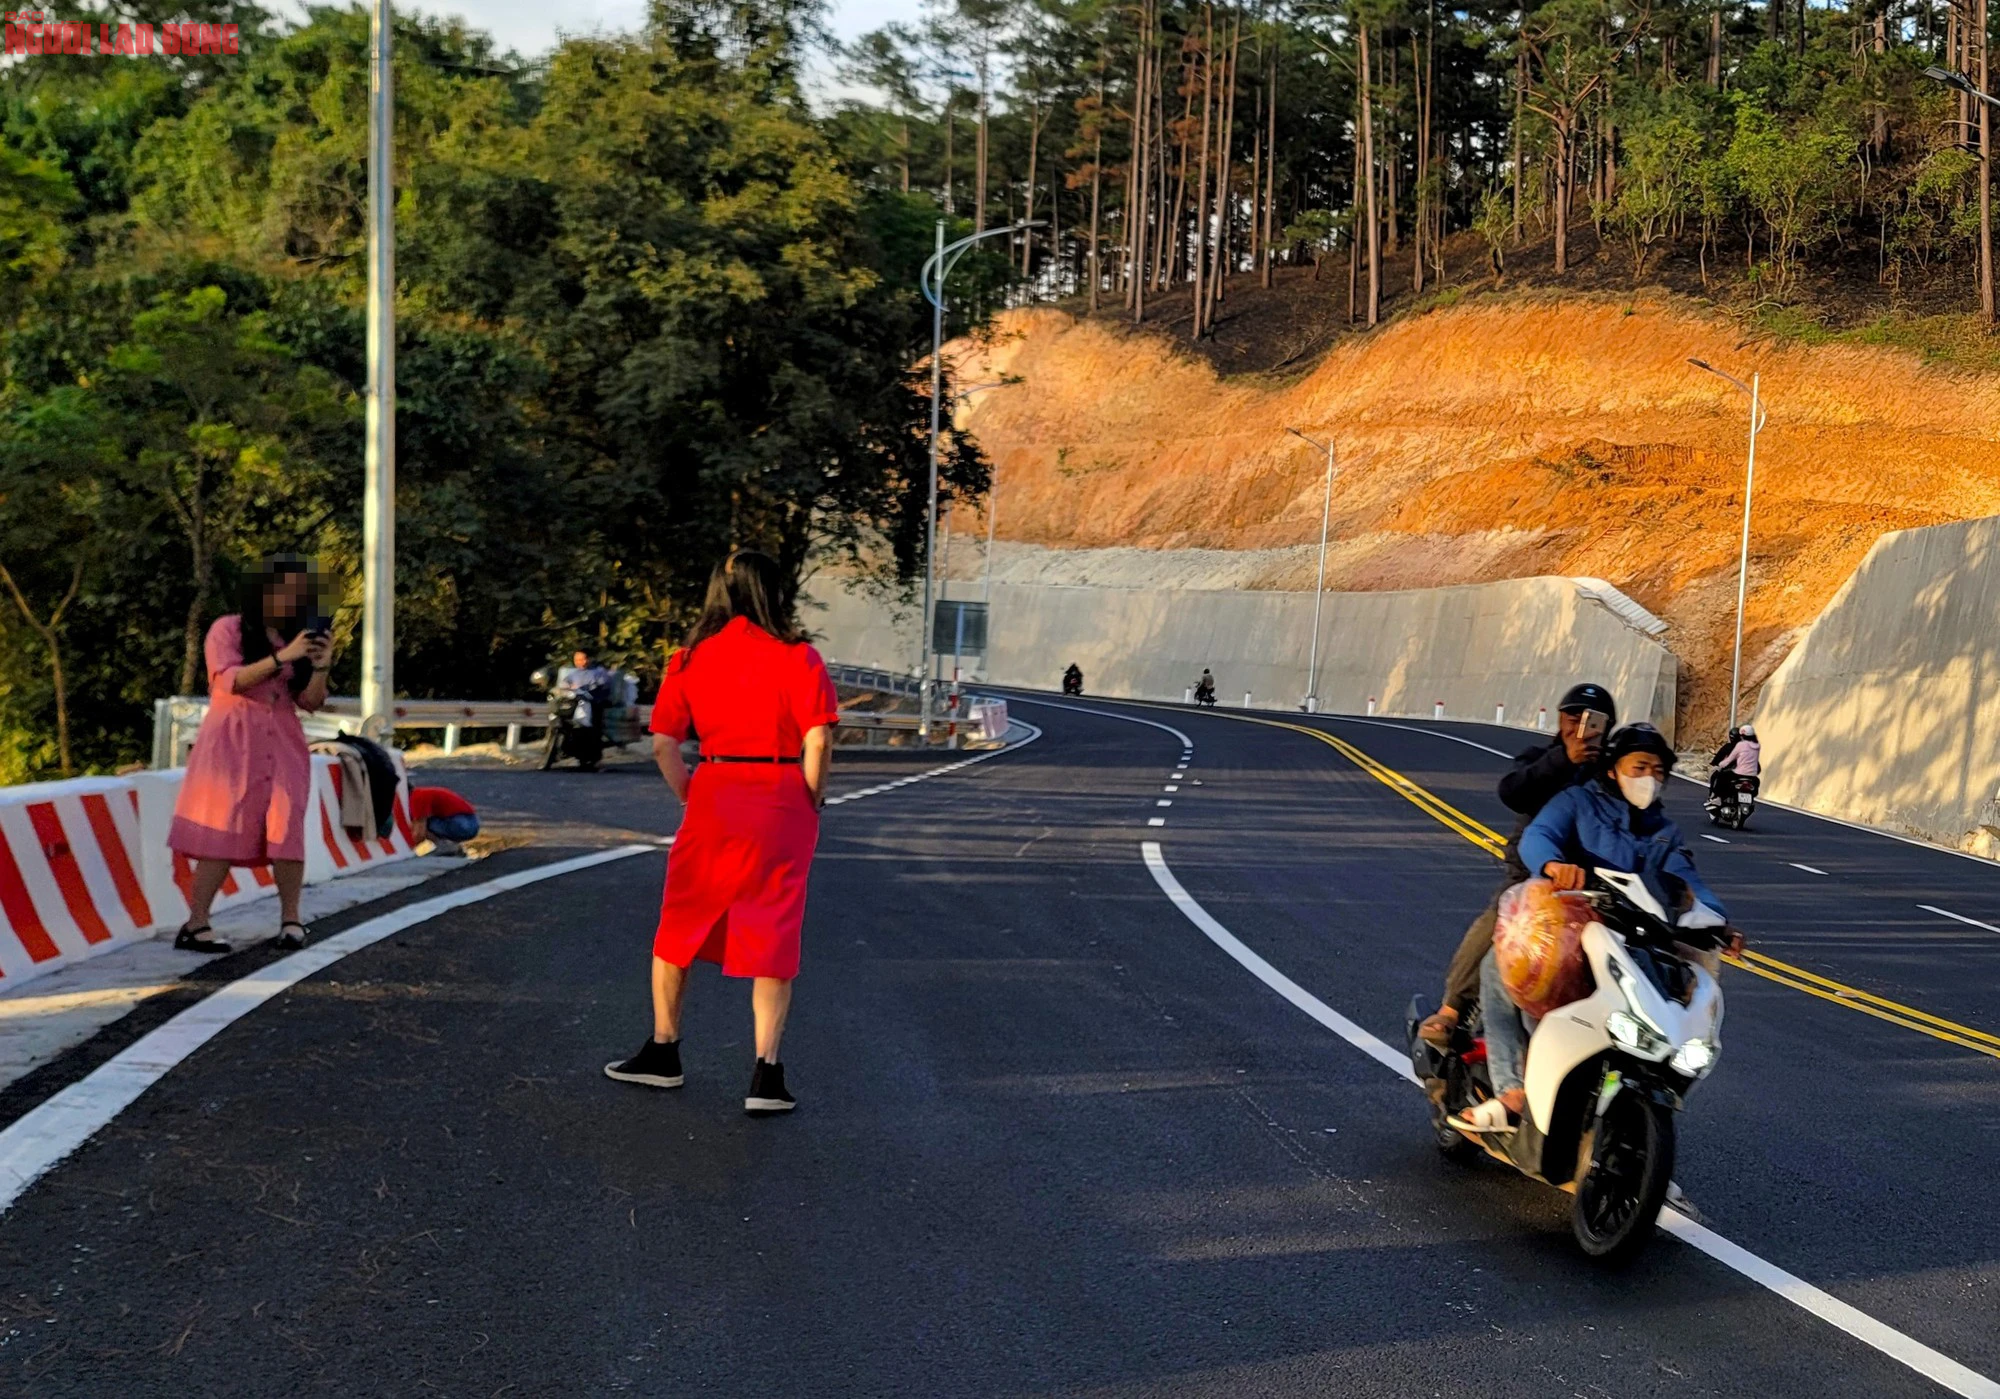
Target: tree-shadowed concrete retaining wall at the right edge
(1889, 710)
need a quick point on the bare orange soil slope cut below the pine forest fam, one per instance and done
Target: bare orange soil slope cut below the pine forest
(1501, 441)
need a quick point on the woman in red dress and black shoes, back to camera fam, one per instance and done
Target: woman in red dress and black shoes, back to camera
(763, 708)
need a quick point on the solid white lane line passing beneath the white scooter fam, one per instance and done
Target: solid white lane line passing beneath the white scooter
(1799, 1292)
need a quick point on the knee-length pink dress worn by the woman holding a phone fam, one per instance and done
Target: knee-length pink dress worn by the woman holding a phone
(249, 776)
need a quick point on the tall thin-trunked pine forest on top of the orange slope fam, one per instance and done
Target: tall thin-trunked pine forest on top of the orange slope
(1173, 141)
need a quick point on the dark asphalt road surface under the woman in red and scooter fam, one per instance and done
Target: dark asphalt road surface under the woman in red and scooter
(1051, 1138)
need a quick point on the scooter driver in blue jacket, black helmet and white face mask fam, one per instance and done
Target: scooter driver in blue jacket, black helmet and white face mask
(1611, 822)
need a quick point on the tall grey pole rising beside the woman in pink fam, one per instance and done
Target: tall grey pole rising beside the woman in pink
(379, 501)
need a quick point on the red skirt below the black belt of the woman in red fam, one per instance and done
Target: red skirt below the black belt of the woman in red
(737, 876)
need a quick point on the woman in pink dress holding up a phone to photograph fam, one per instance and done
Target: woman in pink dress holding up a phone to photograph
(251, 778)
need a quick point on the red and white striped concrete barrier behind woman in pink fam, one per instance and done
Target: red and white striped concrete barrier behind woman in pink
(85, 864)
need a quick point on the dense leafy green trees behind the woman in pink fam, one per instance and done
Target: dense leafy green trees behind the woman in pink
(647, 315)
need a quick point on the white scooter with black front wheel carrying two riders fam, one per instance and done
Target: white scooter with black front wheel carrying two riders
(1605, 1074)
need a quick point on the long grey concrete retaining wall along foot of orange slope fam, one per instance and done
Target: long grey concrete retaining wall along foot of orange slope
(1515, 645)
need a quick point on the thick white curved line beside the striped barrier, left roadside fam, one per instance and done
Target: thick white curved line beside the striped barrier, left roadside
(47, 1134)
